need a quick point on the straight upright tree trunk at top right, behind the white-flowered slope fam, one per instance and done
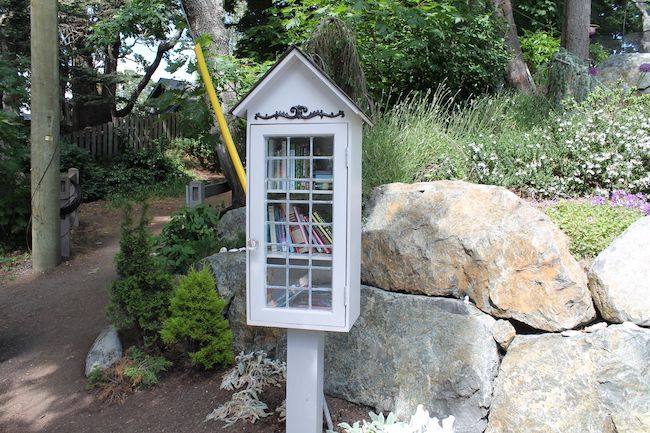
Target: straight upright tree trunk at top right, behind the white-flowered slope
(575, 27)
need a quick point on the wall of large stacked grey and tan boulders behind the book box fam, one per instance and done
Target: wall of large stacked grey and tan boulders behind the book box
(441, 262)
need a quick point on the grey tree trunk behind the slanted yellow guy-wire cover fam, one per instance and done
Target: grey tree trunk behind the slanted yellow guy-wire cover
(206, 17)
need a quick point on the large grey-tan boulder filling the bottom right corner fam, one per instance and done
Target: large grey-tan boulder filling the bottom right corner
(588, 383)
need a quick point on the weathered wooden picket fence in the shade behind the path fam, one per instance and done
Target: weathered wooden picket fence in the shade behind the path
(107, 140)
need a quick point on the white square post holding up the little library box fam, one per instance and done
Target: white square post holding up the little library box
(305, 361)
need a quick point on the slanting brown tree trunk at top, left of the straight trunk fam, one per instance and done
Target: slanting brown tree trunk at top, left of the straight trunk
(518, 74)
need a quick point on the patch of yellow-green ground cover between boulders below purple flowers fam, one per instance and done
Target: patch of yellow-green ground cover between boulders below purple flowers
(591, 228)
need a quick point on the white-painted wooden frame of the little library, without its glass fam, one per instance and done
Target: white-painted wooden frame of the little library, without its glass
(294, 81)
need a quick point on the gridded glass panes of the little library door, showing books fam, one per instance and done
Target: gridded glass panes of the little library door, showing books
(299, 229)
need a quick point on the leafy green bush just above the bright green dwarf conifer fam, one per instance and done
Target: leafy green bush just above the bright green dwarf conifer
(188, 237)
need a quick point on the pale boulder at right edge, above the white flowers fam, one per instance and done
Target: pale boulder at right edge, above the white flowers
(626, 67)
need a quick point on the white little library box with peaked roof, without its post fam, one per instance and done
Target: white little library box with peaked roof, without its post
(304, 199)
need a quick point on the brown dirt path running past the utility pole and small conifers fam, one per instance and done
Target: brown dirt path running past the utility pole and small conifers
(49, 321)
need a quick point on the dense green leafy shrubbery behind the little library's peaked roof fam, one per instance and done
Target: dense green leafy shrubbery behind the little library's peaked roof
(403, 45)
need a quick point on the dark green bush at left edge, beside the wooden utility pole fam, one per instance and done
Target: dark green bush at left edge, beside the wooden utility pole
(14, 176)
